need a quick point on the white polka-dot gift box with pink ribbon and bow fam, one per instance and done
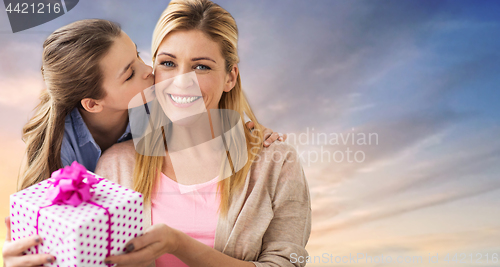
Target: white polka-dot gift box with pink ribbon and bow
(81, 217)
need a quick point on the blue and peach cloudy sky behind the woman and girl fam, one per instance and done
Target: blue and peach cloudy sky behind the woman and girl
(410, 88)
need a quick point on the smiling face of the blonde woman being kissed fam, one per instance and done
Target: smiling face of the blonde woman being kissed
(190, 74)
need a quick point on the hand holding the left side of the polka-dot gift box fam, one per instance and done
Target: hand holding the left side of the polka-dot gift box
(13, 250)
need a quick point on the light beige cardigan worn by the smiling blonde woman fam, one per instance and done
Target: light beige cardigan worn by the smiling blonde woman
(268, 222)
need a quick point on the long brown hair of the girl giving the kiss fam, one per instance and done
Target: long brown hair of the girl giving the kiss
(70, 69)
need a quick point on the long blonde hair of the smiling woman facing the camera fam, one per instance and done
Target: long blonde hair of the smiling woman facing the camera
(220, 26)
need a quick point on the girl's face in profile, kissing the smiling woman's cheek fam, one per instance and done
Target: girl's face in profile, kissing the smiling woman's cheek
(125, 74)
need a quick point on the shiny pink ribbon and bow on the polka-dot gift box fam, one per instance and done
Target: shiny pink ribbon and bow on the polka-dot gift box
(69, 188)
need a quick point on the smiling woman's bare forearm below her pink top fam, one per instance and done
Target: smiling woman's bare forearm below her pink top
(194, 253)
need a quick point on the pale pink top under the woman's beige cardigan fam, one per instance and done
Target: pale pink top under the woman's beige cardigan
(194, 213)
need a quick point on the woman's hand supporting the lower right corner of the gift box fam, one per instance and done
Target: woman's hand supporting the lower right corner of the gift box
(143, 250)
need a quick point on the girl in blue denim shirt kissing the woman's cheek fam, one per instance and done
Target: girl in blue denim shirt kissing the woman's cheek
(83, 111)
